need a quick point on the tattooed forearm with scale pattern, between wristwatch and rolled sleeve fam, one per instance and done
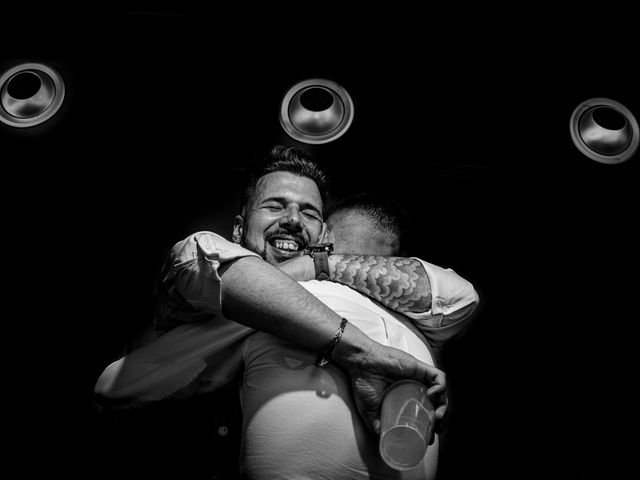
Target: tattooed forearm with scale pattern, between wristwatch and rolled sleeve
(400, 284)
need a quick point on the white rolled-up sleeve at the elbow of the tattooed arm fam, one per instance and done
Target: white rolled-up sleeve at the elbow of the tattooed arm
(454, 299)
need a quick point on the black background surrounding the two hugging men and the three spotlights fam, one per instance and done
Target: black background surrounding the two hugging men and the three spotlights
(462, 115)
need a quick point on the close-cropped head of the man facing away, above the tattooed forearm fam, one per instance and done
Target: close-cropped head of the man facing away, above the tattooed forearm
(368, 224)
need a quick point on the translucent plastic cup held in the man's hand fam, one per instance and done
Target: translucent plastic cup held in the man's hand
(406, 424)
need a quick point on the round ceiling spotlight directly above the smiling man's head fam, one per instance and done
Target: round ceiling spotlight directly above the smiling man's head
(316, 111)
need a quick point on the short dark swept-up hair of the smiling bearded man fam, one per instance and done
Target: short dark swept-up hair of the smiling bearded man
(283, 158)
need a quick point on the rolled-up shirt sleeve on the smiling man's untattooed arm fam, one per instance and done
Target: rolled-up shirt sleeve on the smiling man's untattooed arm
(189, 289)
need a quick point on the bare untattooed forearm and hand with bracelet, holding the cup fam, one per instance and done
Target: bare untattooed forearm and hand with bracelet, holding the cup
(260, 296)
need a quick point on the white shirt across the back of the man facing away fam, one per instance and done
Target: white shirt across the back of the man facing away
(300, 421)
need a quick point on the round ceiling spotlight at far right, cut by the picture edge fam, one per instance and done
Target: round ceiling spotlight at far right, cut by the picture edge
(604, 130)
